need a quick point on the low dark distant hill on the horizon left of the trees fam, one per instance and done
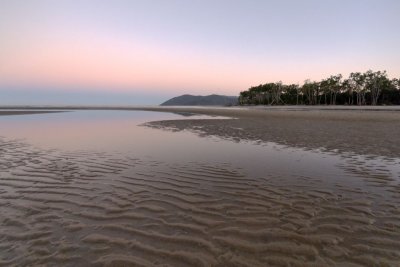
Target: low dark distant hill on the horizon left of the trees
(209, 100)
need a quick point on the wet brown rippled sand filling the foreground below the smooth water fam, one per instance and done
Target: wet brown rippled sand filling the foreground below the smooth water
(85, 208)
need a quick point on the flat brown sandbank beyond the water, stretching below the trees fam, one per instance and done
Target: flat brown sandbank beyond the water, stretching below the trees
(368, 130)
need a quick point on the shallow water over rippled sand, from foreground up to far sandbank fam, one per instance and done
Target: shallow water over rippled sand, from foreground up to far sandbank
(99, 187)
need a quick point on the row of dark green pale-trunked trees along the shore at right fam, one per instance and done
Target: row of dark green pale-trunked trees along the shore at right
(368, 88)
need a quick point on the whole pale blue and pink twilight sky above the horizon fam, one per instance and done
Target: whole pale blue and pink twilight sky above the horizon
(146, 51)
